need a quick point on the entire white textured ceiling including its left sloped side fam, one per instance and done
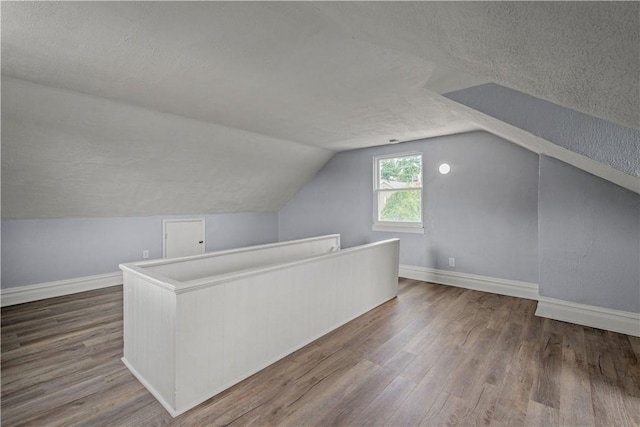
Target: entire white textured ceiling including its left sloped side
(233, 80)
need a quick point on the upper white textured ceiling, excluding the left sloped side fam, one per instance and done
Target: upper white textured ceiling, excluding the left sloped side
(338, 74)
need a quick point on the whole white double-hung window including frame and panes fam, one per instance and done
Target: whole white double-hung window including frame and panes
(397, 188)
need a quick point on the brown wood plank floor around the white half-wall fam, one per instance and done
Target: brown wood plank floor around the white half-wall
(436, 355)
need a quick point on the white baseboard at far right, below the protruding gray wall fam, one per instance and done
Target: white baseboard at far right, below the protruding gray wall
(608, 319)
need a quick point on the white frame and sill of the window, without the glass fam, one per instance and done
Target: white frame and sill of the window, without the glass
(395, 226)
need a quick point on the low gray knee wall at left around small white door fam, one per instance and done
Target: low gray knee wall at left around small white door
(38, 251)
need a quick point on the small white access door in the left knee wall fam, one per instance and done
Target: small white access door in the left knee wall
(183, 237)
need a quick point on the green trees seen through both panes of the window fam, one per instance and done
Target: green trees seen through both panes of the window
(399, 188)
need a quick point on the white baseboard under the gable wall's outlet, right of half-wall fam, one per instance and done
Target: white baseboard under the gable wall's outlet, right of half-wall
(494, 285)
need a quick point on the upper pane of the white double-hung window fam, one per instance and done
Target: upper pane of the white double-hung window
(400, 172)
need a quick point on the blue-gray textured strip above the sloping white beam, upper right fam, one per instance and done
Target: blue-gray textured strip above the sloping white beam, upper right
(598, 139)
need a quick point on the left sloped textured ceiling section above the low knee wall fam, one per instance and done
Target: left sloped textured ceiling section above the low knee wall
(66, 155)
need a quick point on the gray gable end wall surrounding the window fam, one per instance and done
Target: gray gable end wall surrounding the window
(483, 213)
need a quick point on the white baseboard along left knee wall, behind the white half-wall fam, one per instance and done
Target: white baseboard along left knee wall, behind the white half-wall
(22, 294)
